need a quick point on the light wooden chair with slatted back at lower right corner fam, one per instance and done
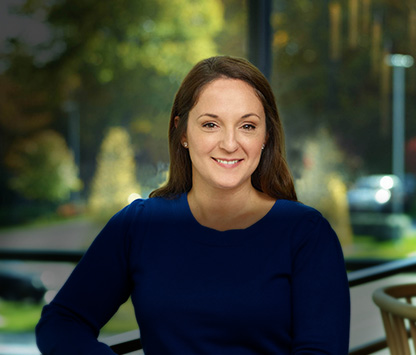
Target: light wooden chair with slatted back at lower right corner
(399, 316)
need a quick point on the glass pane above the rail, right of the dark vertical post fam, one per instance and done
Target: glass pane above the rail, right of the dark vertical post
(342, 99)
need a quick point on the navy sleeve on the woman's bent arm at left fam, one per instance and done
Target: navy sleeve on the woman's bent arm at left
(99, 284)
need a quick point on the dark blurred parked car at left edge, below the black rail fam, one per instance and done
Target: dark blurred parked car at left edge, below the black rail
(18, 286)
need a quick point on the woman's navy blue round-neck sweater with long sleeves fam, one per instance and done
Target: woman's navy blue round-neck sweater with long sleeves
(277, 287)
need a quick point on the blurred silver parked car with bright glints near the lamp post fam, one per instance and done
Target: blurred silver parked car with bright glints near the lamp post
(375, 193)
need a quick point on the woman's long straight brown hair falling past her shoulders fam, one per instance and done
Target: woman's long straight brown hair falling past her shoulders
(272, 175)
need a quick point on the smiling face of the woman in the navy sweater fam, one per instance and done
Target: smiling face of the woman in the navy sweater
(225, 134)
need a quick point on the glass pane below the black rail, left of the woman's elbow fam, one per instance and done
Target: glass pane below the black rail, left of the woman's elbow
(24, 288)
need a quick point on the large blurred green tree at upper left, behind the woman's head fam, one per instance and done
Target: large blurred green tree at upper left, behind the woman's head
(119, 61)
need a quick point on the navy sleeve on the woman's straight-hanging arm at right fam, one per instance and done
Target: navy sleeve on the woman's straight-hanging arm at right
(321, 301)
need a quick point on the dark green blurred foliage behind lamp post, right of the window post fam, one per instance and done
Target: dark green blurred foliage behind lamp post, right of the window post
(350, 94)
